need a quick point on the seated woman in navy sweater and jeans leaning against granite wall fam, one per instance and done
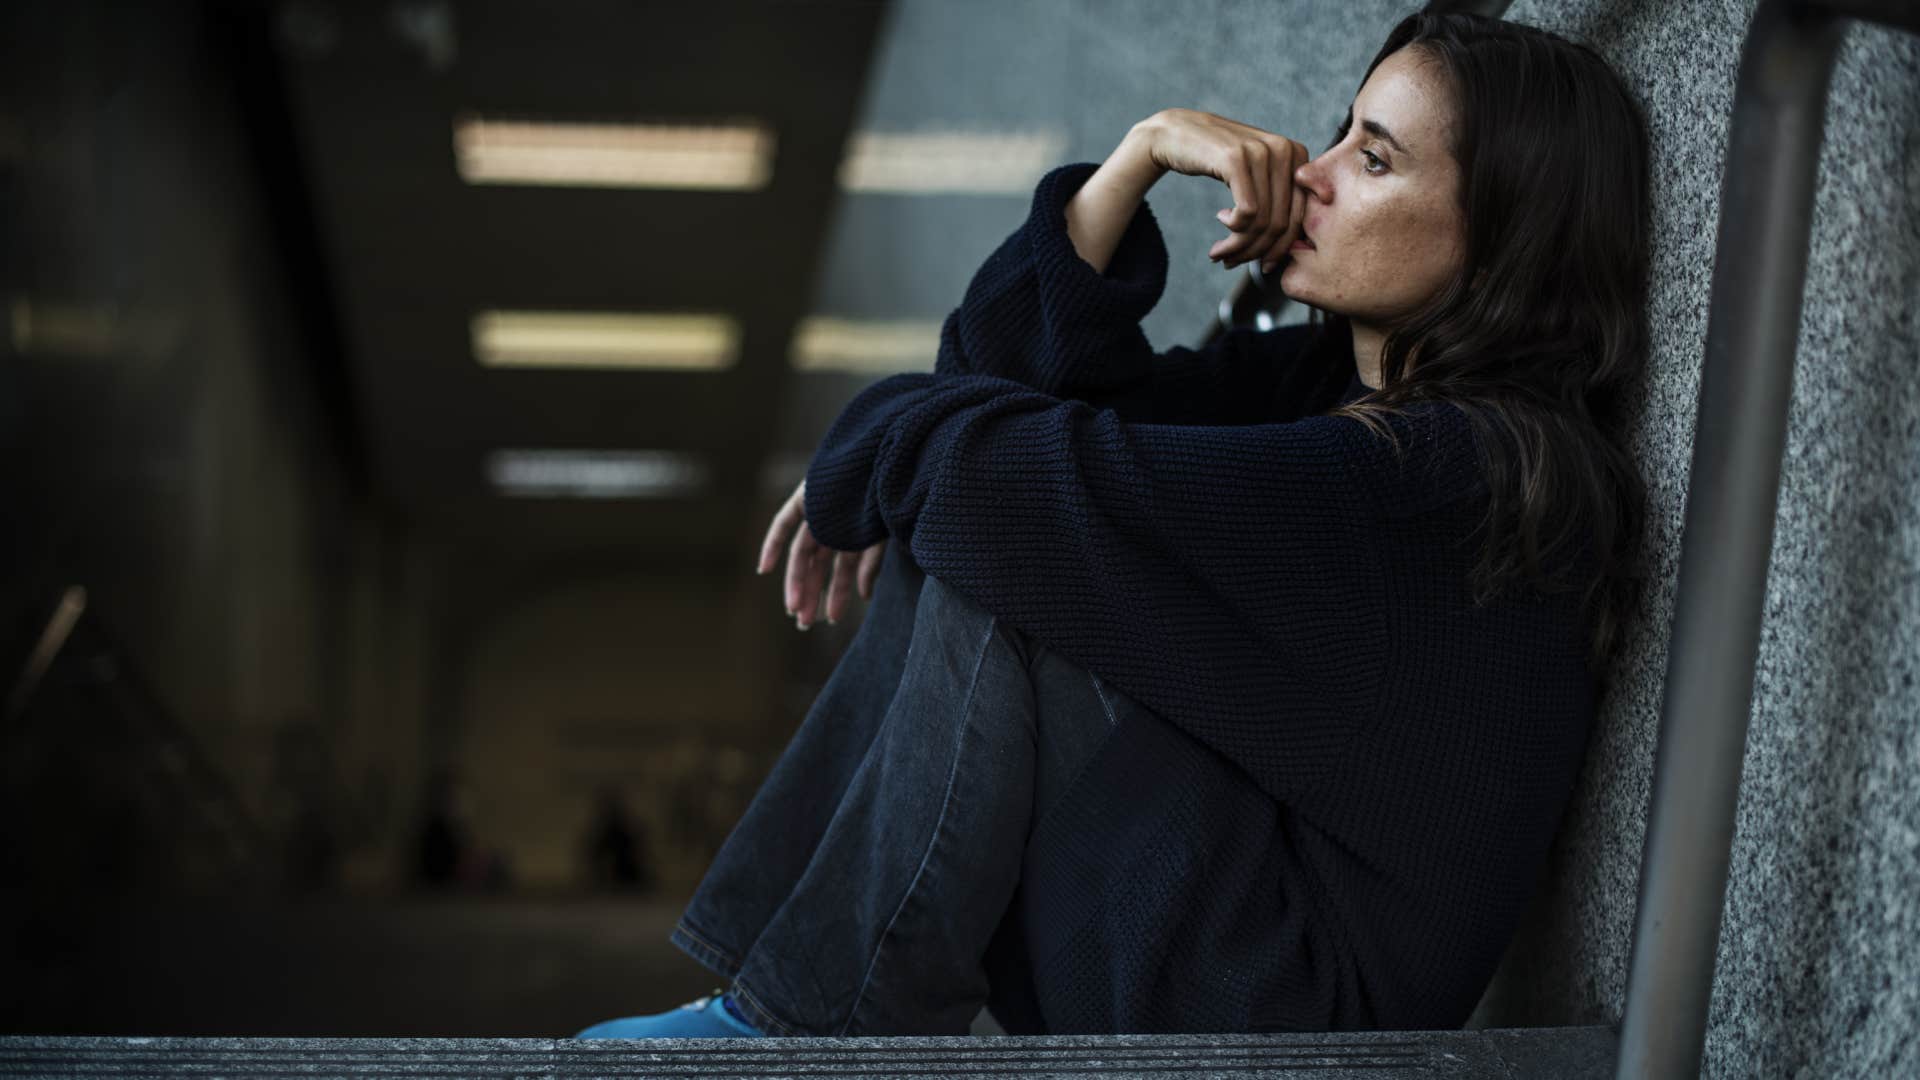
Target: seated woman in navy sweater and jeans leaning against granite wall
(1222, 691)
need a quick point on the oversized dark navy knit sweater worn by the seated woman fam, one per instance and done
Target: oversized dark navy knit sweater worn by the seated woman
(1351, 777)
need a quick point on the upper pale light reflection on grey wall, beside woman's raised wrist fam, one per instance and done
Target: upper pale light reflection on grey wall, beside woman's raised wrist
(949, 162)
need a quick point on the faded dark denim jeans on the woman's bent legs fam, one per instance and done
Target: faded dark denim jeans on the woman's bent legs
(869, 887)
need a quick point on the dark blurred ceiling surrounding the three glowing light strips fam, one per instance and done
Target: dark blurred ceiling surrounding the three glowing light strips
(416, 253)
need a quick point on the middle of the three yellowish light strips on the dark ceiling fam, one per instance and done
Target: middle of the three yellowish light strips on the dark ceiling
(606, 341)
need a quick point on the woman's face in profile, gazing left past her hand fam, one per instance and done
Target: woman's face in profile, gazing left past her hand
(1381, 205)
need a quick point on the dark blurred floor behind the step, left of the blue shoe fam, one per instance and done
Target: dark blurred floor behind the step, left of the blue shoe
(360, 968)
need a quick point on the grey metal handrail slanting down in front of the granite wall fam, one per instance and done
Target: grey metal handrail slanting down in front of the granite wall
(1760, 278)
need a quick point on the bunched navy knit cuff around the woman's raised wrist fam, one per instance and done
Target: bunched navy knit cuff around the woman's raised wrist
(1136, 276)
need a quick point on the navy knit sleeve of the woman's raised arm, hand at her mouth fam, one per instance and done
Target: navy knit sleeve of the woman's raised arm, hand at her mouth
(1042, 316)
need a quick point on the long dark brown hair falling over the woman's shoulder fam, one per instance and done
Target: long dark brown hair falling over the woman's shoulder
(1541, 337)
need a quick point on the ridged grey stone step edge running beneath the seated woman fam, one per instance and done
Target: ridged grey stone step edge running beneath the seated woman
(1548, 1054)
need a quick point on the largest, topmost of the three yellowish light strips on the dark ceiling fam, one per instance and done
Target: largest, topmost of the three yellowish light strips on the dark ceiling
(738, 157)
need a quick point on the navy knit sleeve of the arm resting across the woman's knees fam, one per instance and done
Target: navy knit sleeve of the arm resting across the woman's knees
(1214, 574)
